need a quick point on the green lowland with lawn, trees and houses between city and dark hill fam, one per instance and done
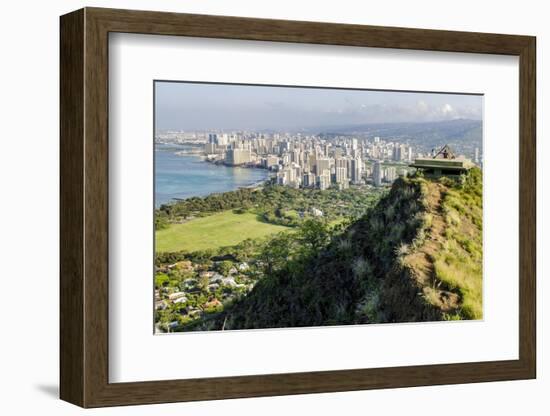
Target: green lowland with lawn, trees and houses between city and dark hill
(211, 252)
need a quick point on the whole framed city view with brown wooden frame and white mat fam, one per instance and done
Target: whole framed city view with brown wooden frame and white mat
(255, 207)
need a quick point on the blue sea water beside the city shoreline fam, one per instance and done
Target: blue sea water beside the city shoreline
(187, 176)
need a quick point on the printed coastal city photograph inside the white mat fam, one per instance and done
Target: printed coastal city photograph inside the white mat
(289, 206)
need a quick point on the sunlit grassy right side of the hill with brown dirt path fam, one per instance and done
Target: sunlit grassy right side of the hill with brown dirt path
(445, 270)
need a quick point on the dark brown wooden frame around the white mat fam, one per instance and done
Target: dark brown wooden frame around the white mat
(84, 207)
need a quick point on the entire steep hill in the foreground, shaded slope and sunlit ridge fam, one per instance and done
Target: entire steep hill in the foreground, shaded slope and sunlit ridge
(415, 256)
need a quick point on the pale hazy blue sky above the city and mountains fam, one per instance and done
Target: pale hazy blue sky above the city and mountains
(194, 106)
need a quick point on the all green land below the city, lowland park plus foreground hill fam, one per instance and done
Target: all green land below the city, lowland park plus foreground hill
(411, 254)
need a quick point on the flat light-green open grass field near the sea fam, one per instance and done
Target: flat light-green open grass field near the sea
(217, 230)
